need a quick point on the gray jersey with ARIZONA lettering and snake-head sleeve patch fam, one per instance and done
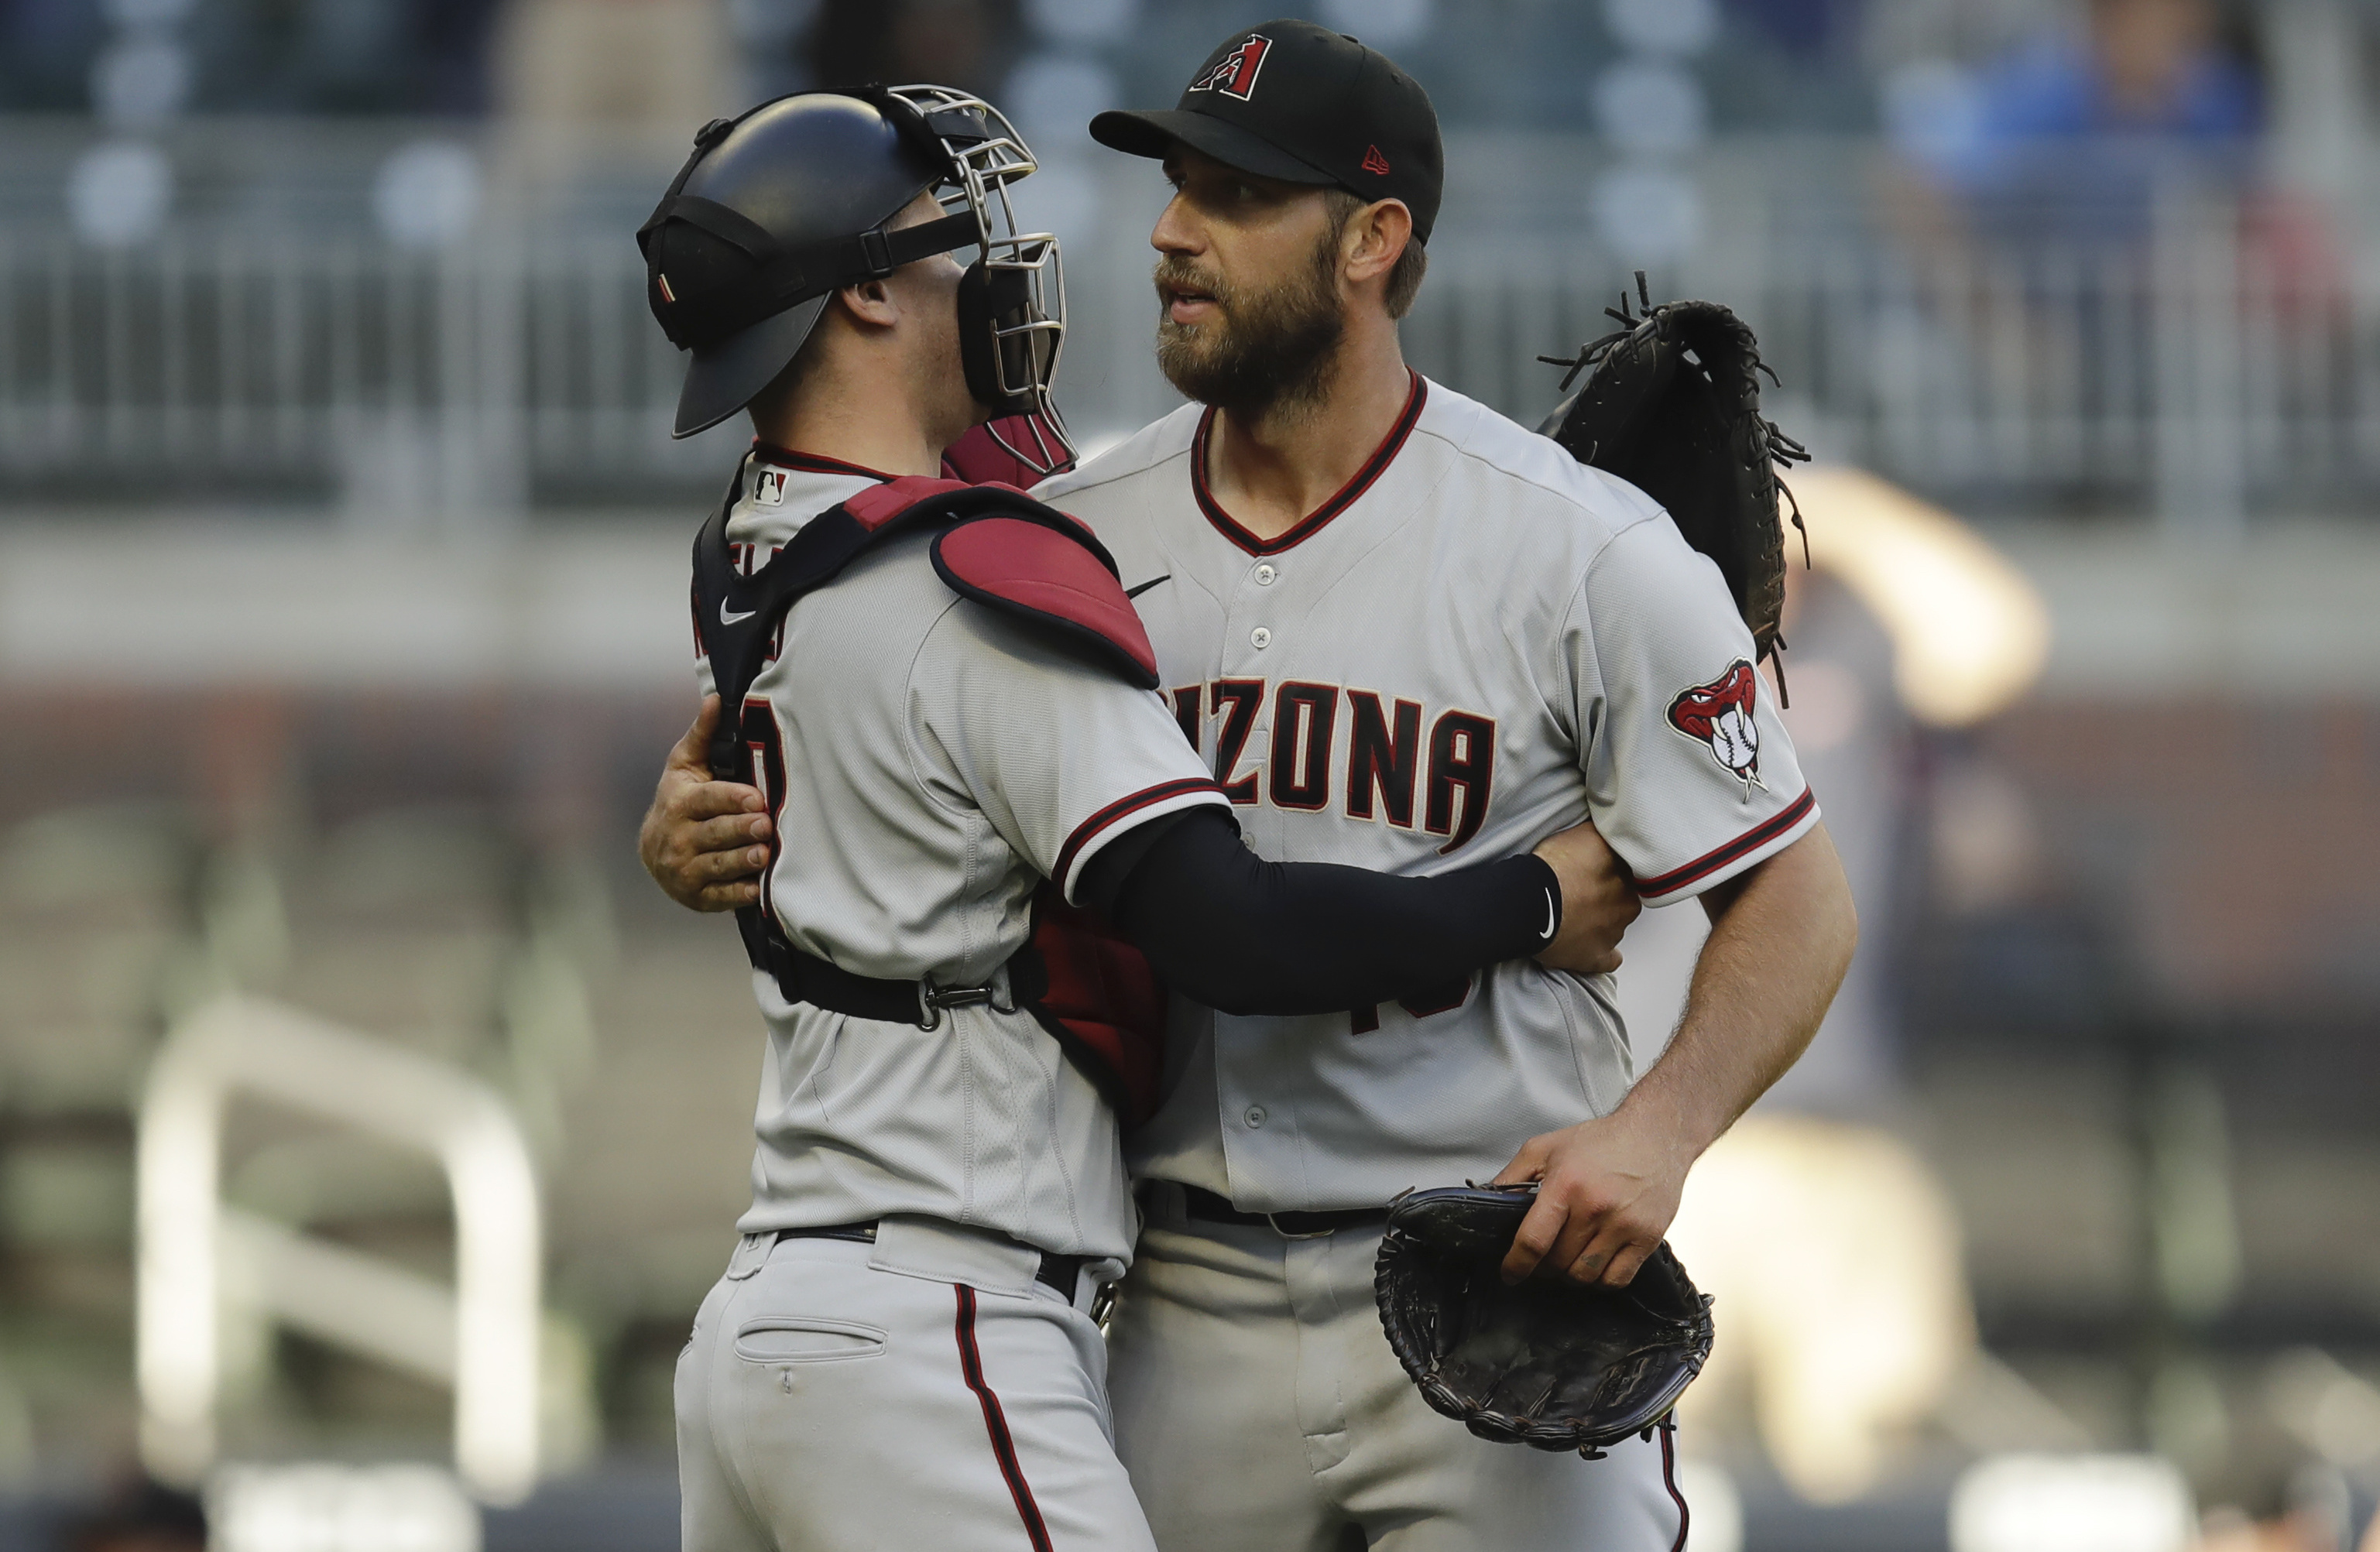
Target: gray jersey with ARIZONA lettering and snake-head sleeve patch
(1472, 646)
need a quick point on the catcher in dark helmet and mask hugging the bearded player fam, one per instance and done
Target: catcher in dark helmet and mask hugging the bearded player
(946, 703)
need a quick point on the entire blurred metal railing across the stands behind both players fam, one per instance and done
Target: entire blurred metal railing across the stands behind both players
(2203, 373)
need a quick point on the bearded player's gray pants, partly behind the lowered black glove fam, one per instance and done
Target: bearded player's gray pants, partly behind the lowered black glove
(1260, 1410)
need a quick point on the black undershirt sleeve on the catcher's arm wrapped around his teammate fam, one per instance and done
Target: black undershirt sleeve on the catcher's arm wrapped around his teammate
(1251, 937)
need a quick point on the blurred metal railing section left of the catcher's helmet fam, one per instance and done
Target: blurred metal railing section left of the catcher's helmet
(334, 365)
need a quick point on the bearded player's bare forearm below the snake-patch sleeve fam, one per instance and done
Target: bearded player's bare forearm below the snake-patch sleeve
(1781, 941)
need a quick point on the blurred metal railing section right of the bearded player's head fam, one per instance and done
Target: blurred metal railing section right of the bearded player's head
(2181, 382)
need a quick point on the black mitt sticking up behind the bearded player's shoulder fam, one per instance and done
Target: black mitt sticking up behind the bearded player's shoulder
(1674, 408)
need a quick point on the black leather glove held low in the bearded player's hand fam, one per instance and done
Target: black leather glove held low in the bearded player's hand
(1553, 1363)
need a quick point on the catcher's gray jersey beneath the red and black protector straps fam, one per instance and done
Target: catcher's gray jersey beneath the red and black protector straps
(927, 765)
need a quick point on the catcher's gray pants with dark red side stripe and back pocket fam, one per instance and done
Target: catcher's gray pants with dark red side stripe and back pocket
(922, 1391)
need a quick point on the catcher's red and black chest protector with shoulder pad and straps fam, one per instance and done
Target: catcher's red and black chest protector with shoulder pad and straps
(994, 544)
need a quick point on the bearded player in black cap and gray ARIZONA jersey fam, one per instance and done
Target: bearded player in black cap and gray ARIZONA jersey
(1403, 632)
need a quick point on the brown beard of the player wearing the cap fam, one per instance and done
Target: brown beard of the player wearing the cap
(1265, 349)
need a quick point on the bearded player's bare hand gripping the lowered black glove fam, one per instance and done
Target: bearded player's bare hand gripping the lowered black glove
(1608, 1191)
